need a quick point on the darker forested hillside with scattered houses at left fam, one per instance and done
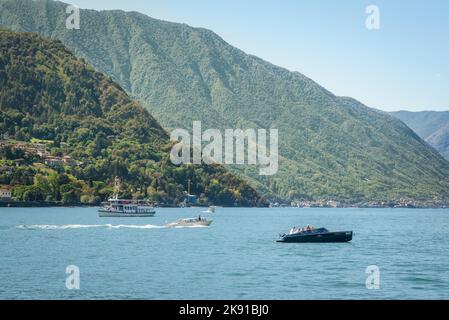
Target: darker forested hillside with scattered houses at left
(72, 130)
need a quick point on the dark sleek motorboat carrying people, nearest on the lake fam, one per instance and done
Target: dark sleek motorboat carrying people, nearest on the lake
(316, 235)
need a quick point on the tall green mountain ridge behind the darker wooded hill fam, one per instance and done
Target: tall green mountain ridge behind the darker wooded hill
(330, 147)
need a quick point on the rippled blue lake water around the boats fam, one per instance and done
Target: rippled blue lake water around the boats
(236, 258)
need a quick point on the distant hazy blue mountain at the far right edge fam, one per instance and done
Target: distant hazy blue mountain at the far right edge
(432, 126)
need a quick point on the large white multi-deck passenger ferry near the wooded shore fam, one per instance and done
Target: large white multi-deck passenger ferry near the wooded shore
(119, 208)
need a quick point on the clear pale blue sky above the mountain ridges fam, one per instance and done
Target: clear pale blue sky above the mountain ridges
(403, 65)
